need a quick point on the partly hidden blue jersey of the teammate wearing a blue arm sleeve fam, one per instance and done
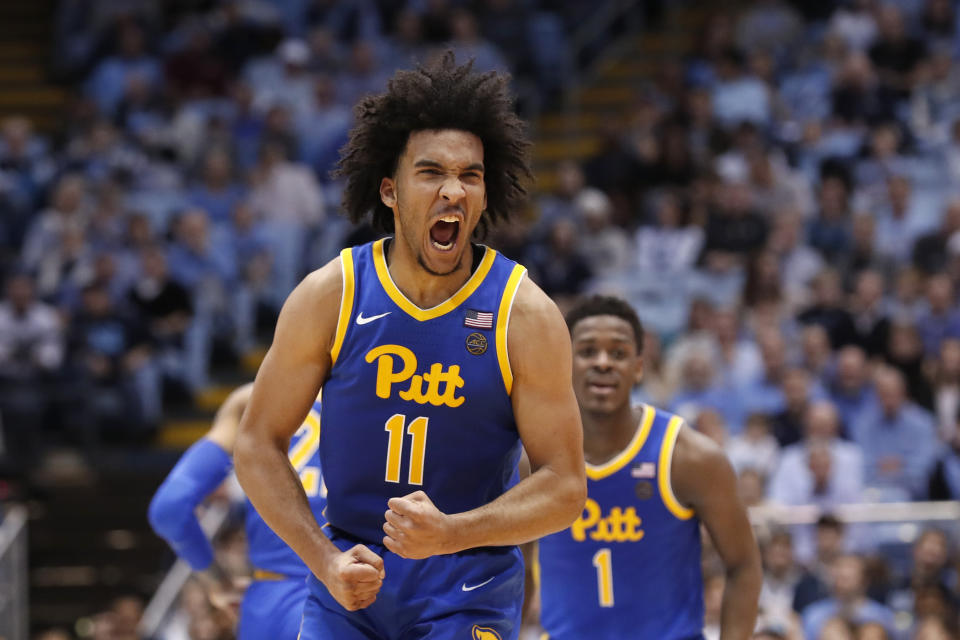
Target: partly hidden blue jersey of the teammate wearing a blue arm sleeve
(267, 550)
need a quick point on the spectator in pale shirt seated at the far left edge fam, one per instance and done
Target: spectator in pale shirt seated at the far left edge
(31, 352)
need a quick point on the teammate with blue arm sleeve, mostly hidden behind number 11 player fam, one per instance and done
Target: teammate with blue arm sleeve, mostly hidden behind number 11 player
(273, 603)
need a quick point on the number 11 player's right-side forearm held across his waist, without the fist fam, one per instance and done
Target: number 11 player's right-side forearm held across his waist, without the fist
(541, 504)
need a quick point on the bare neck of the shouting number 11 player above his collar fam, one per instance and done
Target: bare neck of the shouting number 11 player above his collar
(421, 287)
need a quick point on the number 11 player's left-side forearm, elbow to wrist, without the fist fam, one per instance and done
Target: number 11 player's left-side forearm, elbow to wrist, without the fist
(274, 489)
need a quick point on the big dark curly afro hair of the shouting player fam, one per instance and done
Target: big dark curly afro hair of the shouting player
(440, 96)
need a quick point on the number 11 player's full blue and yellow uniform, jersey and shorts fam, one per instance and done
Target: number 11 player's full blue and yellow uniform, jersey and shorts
(419, 399)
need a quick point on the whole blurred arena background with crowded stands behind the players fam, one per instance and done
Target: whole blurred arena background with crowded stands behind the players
(774, 185)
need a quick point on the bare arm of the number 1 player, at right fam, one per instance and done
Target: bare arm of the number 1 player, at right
(703, 480)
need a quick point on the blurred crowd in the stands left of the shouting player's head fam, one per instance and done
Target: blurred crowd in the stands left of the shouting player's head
(157, 233)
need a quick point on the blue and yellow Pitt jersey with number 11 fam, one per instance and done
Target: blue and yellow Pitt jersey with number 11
(418, 398)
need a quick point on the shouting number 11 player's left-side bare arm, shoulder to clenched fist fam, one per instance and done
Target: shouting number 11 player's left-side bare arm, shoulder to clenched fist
(286, 385)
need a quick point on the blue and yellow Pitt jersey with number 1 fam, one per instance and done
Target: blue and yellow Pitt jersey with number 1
(629, 567)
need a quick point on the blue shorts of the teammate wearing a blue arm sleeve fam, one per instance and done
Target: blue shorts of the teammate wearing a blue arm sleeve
(272, 609)
